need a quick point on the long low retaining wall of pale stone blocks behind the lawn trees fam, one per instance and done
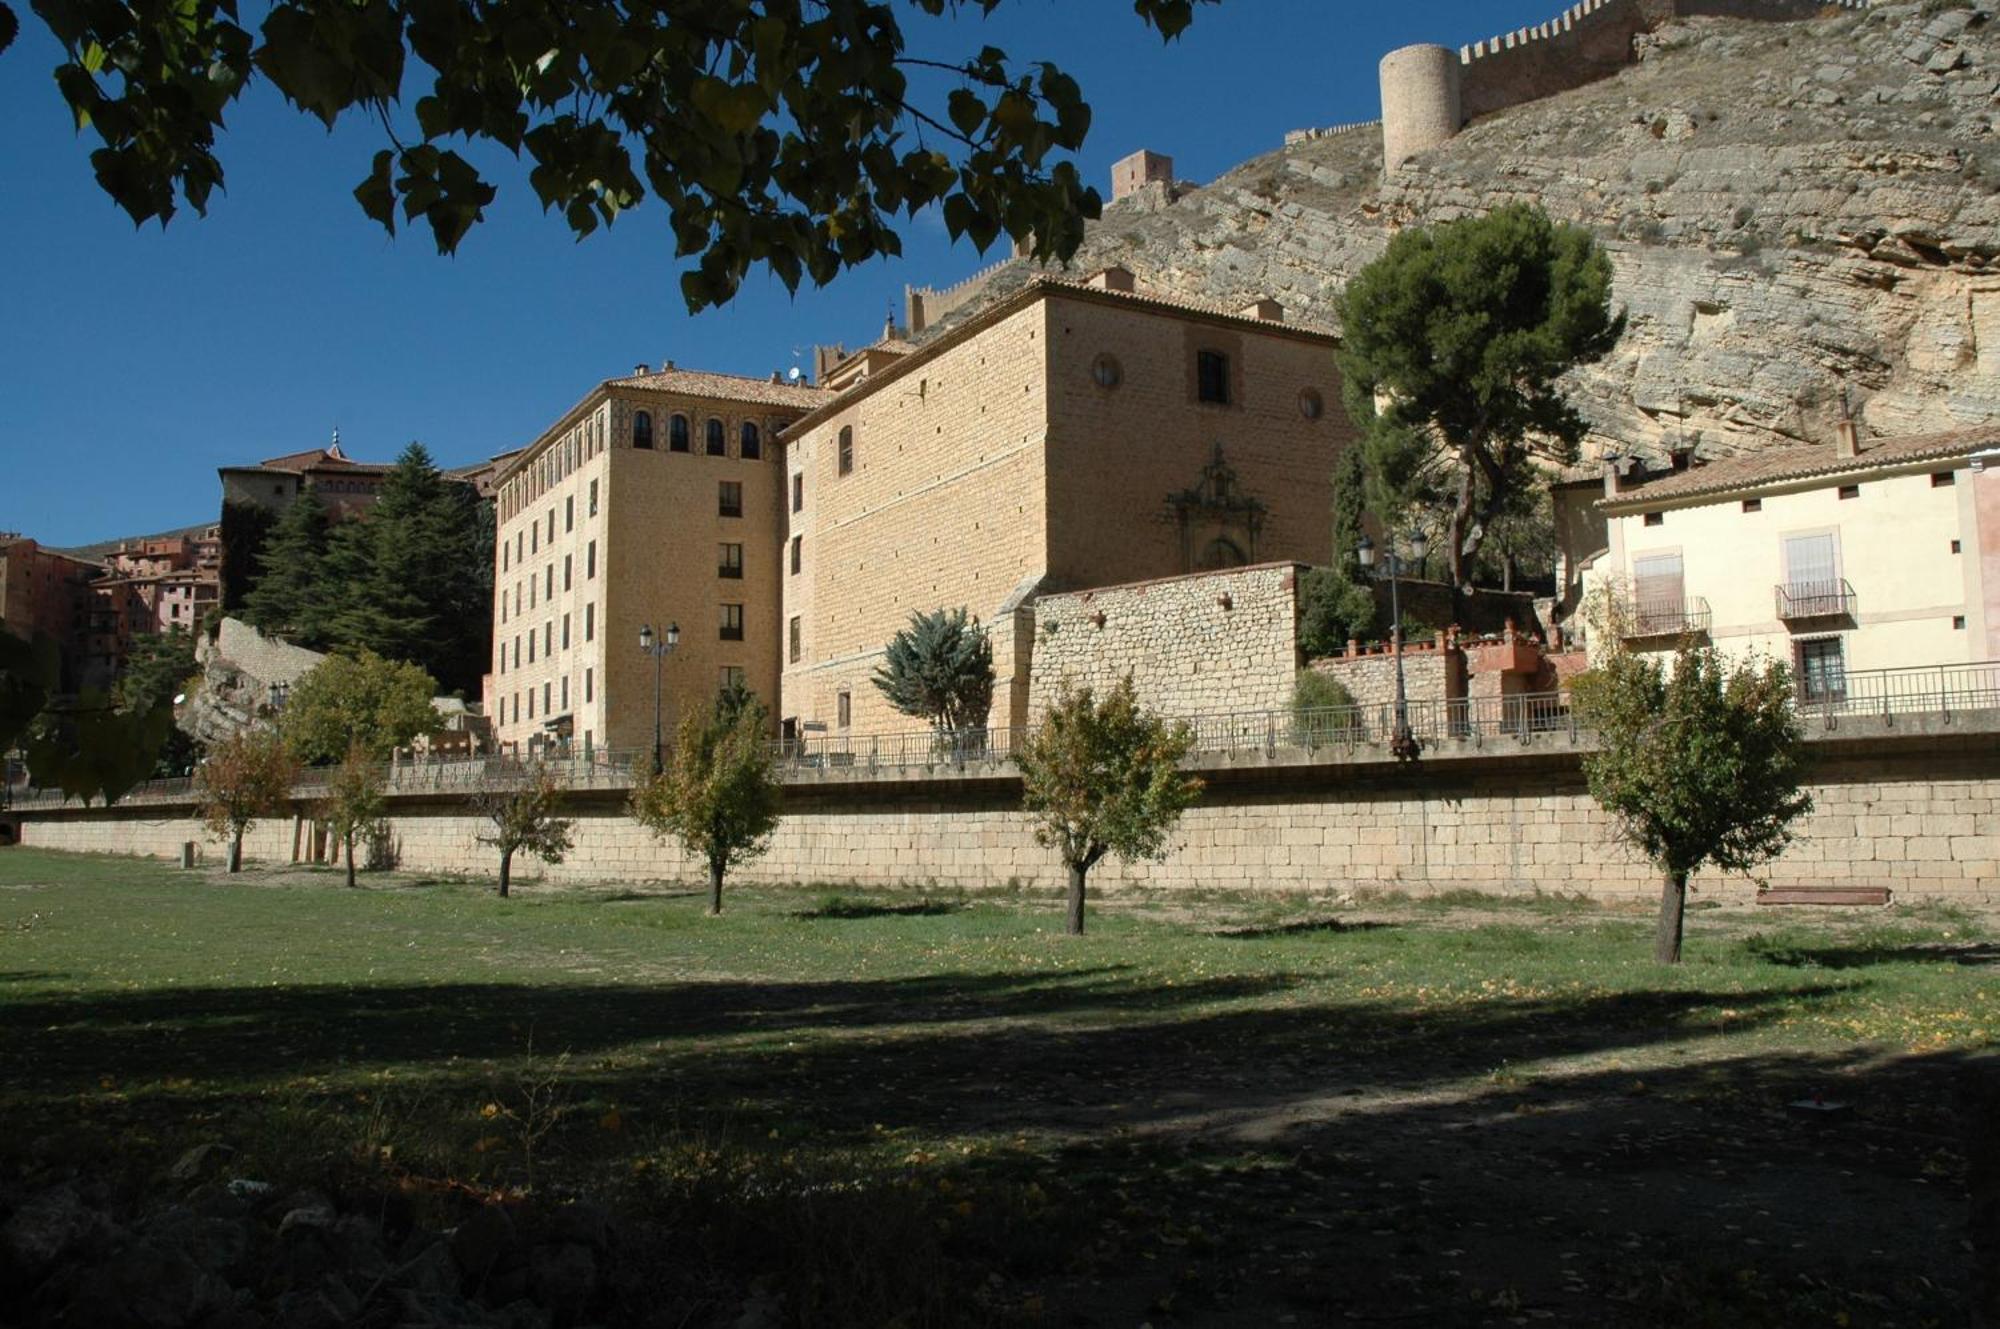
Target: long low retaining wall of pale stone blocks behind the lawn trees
(1917, 822)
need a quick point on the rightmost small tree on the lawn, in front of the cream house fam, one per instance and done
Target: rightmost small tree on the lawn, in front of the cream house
(1699, 768)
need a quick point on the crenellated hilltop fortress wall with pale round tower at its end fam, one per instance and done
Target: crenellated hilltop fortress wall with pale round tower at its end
(1429, 93)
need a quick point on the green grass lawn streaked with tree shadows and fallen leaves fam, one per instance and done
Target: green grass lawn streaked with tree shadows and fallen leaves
(947, 1112)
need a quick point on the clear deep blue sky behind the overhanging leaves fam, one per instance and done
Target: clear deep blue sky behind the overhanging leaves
(133, 363)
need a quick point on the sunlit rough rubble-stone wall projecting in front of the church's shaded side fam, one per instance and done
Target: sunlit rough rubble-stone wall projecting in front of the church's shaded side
(1203, 643)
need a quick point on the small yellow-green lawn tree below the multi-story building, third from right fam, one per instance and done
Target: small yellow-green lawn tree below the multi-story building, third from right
(719, 796)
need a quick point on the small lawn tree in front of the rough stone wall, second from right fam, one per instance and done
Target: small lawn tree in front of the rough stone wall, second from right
(1105, 778)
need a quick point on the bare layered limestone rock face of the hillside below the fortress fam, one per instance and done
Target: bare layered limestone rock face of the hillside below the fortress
(1791, 209)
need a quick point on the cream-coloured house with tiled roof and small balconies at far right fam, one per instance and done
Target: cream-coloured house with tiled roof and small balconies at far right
(1857, 555)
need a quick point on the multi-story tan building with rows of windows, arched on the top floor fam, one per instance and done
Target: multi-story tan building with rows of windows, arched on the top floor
(655, 501)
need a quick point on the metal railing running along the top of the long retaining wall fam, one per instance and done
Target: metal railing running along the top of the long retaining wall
(1527, 718)
